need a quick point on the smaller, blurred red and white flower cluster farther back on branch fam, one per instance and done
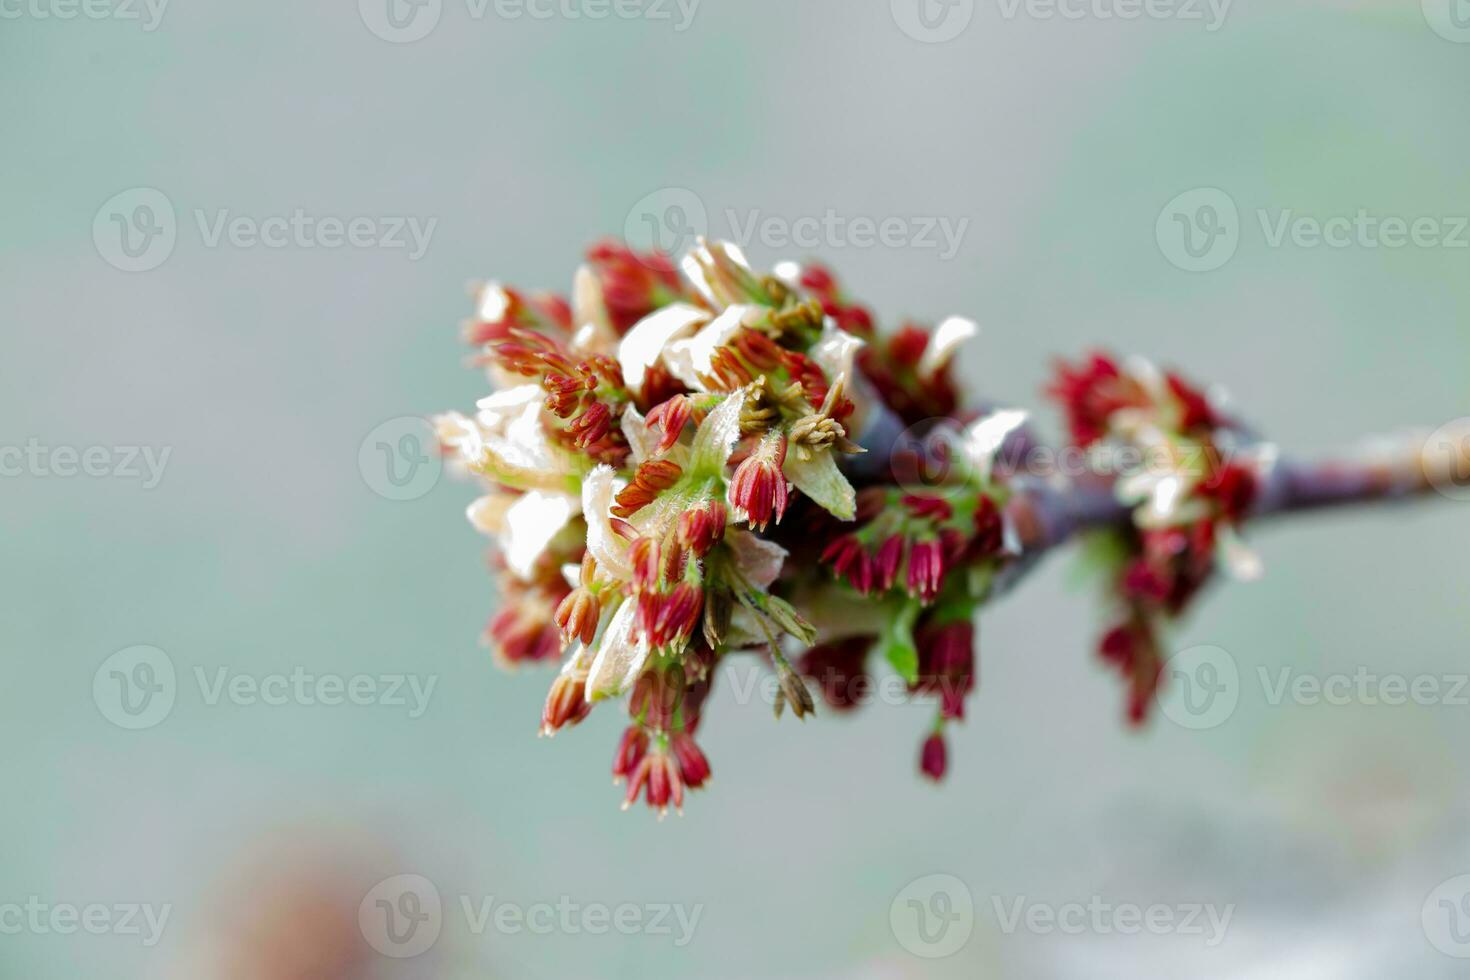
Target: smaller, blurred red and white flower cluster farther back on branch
(1191, 477)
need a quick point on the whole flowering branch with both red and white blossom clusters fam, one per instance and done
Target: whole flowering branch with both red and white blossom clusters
(686, 464)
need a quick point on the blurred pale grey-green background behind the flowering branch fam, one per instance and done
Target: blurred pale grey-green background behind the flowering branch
(208, 261)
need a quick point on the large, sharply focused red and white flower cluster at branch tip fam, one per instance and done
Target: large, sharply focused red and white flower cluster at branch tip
(668, 475)
